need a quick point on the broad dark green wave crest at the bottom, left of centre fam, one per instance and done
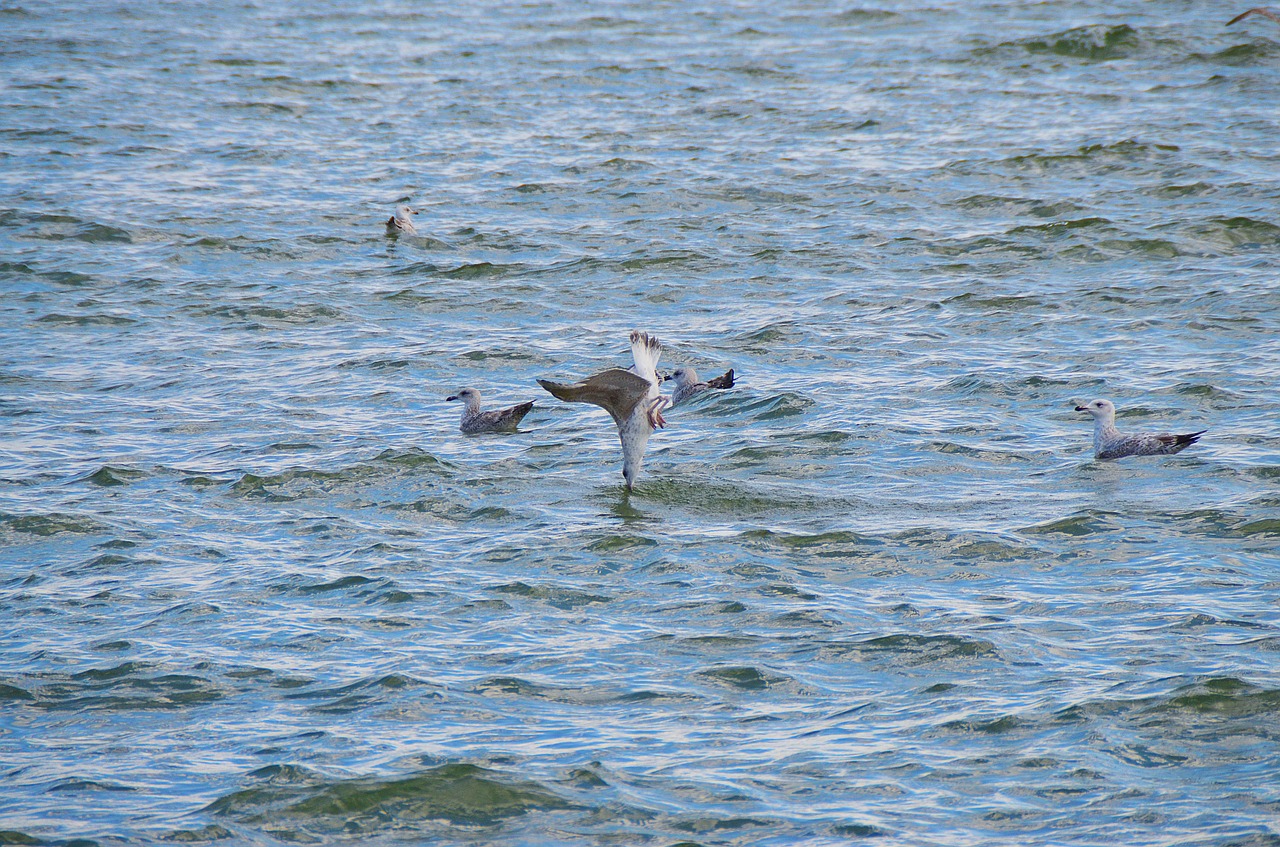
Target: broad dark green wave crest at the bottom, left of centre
(458, 795)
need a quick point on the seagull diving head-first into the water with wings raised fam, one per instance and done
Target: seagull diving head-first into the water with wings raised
(632, 399)
